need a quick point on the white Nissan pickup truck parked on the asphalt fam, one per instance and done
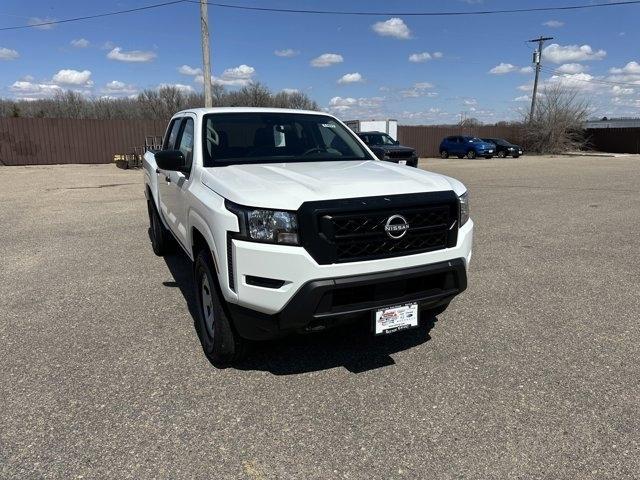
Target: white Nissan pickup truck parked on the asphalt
(293, 225)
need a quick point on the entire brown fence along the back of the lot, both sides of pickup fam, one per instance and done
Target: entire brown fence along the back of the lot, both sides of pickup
(44, 141)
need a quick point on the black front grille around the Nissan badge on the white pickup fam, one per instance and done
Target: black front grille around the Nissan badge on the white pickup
(354, 229)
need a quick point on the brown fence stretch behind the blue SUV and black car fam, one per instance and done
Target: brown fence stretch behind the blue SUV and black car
(426, 139)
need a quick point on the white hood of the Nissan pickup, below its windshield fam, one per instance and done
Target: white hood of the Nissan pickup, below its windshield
(287, 185)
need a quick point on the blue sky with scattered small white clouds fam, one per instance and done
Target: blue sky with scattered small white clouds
(415, 69)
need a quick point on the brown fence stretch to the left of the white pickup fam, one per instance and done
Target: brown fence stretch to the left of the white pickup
(44, 141)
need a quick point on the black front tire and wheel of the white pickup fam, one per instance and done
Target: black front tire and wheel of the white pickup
(220, 342)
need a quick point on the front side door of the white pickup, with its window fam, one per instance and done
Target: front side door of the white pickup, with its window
(177, 188)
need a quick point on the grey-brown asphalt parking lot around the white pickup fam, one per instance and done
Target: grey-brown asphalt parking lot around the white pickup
(533, 373)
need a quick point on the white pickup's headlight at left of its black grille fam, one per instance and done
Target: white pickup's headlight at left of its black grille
(262, 225)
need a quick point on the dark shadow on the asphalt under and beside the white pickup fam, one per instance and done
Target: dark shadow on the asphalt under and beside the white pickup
(351, 346)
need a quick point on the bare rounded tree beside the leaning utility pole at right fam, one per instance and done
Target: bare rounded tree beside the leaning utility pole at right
(558, 122)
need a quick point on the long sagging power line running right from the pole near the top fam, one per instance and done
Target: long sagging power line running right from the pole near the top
(421, 14)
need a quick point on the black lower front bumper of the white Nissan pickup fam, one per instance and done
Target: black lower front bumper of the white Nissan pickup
(324, 303)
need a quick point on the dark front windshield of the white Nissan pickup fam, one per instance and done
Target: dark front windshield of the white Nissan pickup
(232, 138)
